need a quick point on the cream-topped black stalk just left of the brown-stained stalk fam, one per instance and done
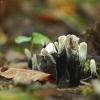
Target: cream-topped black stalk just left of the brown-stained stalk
(61, 59)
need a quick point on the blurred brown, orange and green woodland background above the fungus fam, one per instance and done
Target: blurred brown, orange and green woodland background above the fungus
(49, 17)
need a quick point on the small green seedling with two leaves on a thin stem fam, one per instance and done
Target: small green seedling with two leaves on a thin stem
(35, 39)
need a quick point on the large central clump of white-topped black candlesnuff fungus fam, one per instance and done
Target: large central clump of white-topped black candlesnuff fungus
(66, 55)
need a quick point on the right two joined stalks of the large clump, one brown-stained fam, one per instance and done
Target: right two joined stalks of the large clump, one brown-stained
(76, 56)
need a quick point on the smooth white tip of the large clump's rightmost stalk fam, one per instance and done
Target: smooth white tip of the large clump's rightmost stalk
(82, 51)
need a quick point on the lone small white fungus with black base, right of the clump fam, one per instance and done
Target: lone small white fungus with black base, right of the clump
(93, 68)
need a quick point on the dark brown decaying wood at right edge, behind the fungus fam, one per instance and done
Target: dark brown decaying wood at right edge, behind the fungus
(92, 38)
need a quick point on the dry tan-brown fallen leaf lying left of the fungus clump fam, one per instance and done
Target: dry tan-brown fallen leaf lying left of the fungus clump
(28, 75)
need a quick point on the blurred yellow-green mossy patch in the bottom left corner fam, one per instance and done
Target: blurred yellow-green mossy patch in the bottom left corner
(16, 94)
